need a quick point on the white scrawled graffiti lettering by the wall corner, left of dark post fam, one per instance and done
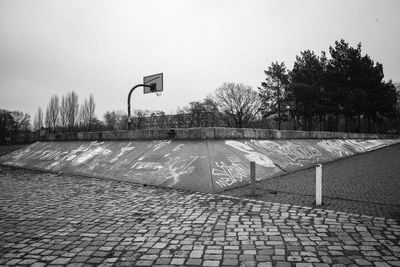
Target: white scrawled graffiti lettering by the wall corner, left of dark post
(227, 175)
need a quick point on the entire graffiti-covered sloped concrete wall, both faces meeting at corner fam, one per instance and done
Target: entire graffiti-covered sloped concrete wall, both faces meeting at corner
(210, 165)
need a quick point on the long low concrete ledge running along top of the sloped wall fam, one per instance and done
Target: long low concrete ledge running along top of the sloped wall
(208, 133)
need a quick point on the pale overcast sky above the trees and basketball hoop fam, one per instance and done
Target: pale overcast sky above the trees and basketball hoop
(105, 47)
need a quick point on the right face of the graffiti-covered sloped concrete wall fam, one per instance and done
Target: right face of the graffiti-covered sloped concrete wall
(229, 159)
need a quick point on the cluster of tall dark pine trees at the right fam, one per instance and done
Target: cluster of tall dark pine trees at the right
(333, 94)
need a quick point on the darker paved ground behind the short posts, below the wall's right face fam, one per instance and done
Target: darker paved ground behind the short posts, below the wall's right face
(364, 184)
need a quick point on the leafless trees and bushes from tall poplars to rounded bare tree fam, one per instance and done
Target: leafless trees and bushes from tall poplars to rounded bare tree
(231, 105)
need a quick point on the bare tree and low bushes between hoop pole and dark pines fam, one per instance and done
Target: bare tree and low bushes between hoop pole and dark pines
(230, 105)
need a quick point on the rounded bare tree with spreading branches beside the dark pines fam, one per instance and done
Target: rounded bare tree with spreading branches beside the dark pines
(239, 102)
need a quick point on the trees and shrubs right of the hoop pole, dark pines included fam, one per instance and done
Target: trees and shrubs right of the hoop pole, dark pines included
(343, 92)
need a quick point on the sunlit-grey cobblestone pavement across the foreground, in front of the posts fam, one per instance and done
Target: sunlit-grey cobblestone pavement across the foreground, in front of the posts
(46, 219)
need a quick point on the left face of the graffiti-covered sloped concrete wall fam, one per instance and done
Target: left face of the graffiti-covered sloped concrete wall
(181, 165)
